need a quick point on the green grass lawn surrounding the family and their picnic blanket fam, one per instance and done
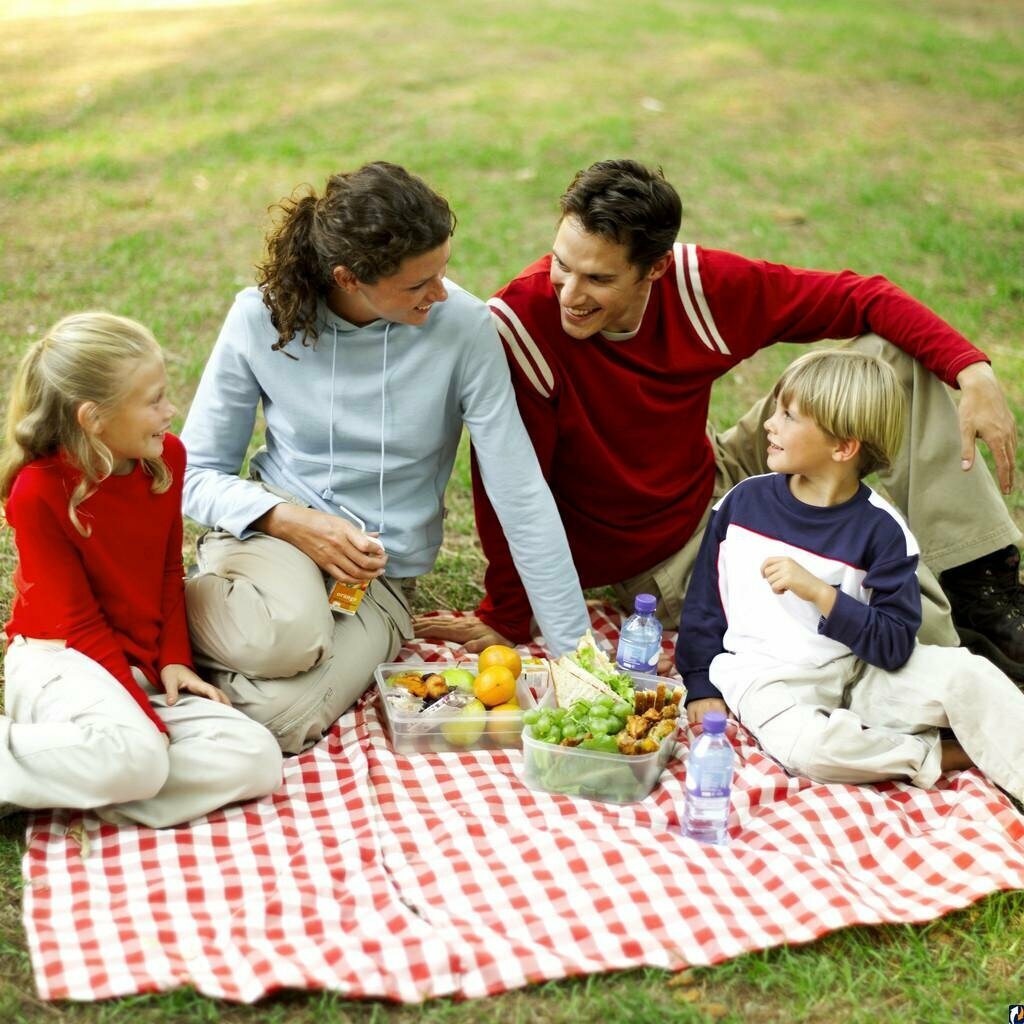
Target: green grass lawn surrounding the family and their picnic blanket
(141, 146)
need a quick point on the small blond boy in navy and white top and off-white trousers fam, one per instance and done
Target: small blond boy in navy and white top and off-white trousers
(804, 605)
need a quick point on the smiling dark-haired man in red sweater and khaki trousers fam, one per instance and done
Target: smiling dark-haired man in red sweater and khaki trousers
(614, 342)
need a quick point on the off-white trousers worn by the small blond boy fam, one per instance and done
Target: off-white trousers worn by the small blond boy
(850, 722)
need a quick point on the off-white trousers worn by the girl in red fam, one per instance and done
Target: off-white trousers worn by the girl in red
(73, 737)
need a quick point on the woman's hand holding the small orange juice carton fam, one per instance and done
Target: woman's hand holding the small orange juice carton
(336, 545)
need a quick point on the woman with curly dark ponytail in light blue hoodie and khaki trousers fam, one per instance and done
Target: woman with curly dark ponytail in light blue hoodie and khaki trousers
(367, 362)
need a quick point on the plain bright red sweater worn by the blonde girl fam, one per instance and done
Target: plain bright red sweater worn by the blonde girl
(117, 595)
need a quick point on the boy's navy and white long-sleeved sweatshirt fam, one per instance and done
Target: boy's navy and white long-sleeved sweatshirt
(733, 623)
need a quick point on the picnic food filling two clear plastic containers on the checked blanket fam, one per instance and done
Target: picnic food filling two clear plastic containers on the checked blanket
(587, 728)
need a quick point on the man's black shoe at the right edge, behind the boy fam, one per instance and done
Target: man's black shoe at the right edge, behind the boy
(988, 604)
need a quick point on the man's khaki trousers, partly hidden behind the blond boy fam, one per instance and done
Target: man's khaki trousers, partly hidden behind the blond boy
(956, 517)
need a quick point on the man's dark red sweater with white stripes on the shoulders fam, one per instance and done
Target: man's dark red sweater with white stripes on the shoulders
(620, 425)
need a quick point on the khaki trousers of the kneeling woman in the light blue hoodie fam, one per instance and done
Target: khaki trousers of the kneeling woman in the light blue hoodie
(264, 632)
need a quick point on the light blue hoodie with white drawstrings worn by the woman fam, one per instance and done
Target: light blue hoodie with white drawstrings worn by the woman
(370, 418)
